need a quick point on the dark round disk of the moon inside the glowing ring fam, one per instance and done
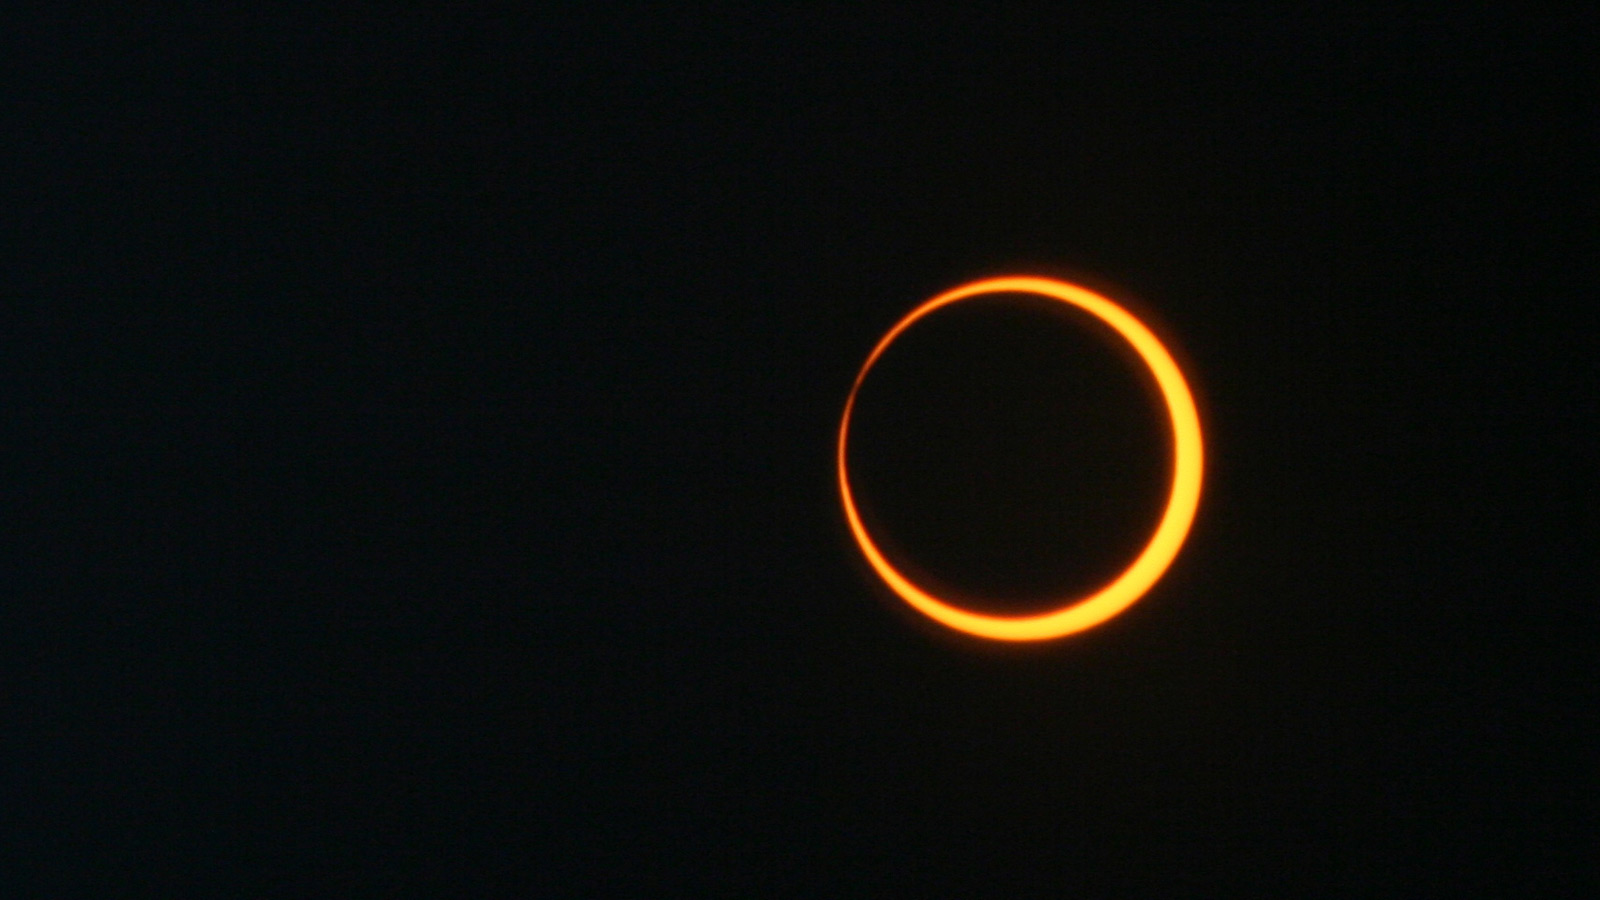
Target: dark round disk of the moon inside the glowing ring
(1010, 451)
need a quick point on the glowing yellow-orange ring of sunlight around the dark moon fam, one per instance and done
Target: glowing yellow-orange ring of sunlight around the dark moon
(1188, 462)
